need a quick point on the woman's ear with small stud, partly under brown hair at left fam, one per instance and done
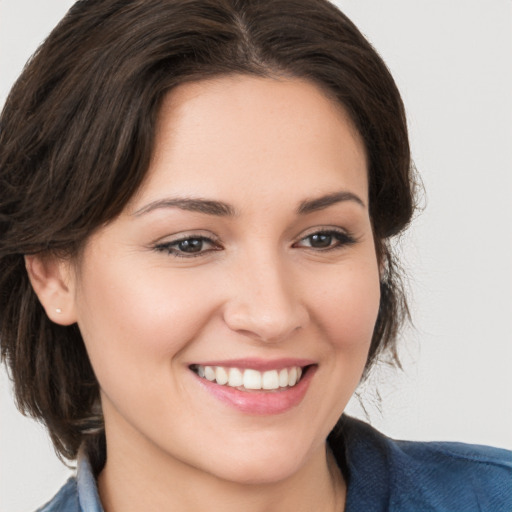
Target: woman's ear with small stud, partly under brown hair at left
(53, 281)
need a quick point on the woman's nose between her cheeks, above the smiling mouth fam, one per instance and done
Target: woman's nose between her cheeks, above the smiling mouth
(265, 304)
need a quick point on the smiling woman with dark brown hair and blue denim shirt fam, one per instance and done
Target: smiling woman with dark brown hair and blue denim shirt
(197, 203)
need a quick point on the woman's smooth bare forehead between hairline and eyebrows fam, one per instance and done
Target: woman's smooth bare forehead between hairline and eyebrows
(248, 133)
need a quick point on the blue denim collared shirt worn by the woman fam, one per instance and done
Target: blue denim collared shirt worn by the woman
(382, 475)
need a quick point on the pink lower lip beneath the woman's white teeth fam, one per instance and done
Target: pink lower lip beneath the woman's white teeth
(260, 402)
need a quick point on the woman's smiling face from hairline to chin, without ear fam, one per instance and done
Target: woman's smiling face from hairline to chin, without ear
(247, 255)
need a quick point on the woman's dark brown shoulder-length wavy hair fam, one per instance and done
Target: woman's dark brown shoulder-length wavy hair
(76, 136)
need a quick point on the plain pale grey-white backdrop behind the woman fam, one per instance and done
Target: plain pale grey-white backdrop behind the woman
(452, 60)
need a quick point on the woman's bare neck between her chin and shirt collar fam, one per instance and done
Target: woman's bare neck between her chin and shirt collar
(147, 480)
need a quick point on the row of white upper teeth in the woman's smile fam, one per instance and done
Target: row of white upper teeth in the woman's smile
(249, 378)
